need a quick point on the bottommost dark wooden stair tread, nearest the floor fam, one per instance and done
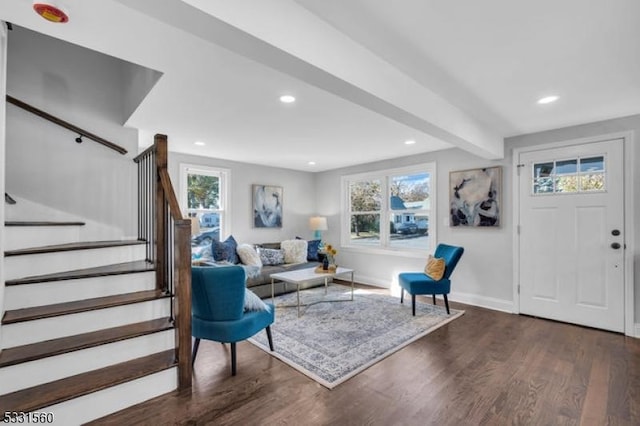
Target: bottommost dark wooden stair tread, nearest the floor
(47, 394)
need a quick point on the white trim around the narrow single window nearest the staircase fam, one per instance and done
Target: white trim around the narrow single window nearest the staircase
(225, 194)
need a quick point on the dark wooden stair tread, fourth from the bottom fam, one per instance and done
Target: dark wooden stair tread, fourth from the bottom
(100, 271)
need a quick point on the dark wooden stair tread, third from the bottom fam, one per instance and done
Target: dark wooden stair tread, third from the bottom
(47, 311)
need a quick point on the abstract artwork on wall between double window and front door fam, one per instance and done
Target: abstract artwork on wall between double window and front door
(475, 197)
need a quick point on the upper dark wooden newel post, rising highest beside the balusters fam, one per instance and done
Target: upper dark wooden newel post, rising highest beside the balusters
(161, 219)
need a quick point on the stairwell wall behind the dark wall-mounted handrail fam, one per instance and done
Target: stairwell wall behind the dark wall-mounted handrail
(44, 163)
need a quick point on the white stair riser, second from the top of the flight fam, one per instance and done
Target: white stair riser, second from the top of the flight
(49, 263)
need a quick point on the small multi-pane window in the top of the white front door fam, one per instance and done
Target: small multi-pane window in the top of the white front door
(576, 175)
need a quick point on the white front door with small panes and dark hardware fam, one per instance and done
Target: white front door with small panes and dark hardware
(572, 234)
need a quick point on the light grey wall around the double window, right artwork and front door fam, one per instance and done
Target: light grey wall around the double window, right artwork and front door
(484, 276)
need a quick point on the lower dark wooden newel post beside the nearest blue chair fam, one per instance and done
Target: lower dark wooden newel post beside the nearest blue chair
(182, 250)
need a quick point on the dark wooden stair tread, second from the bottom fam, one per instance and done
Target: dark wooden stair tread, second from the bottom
(34, 351)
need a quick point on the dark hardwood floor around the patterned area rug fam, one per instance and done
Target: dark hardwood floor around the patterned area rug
(487, 367)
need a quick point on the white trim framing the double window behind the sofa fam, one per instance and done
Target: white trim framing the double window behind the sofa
(345, 217)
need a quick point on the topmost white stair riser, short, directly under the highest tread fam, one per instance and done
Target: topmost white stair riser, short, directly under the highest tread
(19, 237)
